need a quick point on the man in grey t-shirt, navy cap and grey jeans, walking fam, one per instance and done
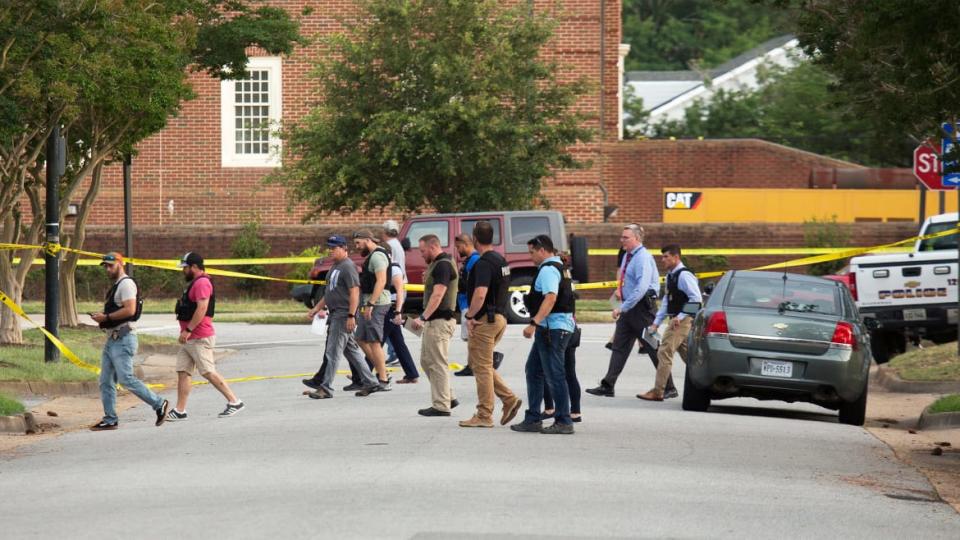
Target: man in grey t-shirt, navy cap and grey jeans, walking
(342, 298)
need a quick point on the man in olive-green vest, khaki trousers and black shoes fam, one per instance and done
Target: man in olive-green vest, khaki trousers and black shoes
(438, 321)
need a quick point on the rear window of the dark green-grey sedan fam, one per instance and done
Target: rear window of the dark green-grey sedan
(772, 293)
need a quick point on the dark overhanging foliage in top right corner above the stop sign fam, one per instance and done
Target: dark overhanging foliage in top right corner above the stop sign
(898, 59)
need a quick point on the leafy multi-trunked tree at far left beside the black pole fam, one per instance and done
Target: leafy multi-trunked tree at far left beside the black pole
(110, 73)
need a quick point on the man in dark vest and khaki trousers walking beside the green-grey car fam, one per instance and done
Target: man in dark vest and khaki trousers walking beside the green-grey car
(682, 287)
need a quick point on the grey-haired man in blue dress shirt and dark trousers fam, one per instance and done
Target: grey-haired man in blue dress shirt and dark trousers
(639, 283)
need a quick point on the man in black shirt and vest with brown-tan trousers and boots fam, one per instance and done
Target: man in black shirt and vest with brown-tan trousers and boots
(488, 289)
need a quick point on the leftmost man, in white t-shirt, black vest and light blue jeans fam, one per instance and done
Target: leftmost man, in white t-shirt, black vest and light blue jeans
(120, 308)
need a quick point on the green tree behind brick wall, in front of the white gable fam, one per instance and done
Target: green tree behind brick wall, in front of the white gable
(802, 107)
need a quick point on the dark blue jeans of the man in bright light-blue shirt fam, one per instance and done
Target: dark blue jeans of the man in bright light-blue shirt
(545, 366)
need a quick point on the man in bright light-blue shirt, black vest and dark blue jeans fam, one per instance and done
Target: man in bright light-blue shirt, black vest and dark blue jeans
(551, 302)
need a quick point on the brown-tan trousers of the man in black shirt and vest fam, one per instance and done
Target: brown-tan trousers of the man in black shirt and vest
(483, 339)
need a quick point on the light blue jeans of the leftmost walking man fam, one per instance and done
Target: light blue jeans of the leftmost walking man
(116, 366)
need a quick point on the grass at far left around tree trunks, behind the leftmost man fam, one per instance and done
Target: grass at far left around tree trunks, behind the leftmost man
(25, 362)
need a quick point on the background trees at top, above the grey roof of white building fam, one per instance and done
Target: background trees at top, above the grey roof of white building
(682, 34)
